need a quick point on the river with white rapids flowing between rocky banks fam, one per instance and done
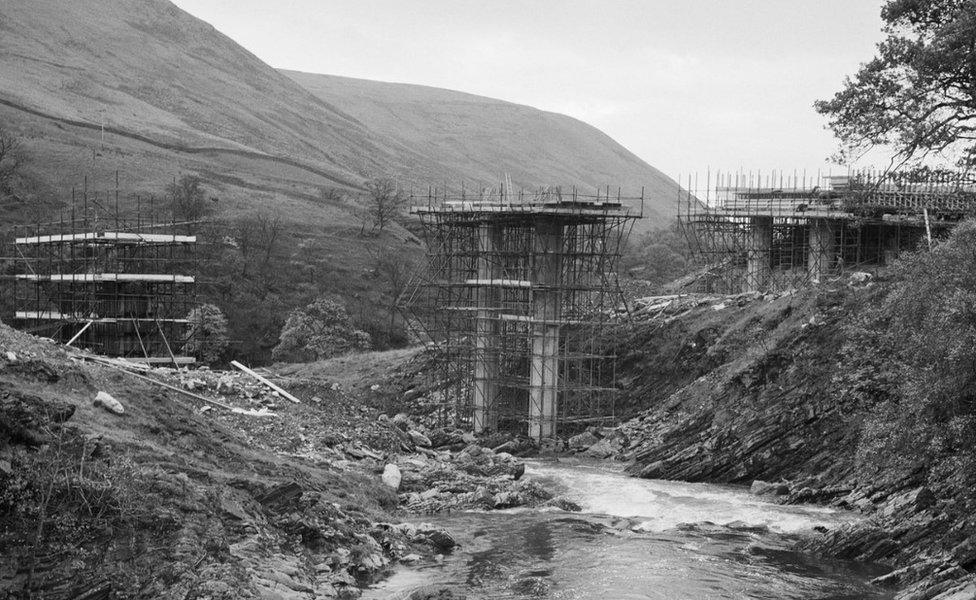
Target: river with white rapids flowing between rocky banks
(636, 538)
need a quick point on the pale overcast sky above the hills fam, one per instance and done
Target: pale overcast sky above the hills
(685, 85)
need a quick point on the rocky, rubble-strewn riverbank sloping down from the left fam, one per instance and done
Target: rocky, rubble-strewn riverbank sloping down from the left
(160, 495)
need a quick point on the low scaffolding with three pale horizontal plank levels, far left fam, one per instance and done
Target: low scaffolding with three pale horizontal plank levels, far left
(118, 285)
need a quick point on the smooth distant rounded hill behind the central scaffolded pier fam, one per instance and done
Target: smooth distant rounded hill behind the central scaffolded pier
(482, 139)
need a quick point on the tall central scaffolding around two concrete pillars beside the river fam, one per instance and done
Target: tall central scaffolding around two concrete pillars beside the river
(518, 294)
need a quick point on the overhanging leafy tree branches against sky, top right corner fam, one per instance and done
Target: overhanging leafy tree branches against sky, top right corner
(918, 95)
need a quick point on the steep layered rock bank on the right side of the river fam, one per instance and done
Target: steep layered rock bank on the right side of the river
(735, 390)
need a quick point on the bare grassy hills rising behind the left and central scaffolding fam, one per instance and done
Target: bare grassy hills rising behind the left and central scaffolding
(142, 88)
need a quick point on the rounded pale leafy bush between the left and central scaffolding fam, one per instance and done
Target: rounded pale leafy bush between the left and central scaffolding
(322, 329)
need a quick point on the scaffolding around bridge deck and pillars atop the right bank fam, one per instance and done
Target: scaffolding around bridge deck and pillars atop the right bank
(751, 233)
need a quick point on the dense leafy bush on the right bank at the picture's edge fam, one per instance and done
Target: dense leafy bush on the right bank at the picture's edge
(926, 327)
